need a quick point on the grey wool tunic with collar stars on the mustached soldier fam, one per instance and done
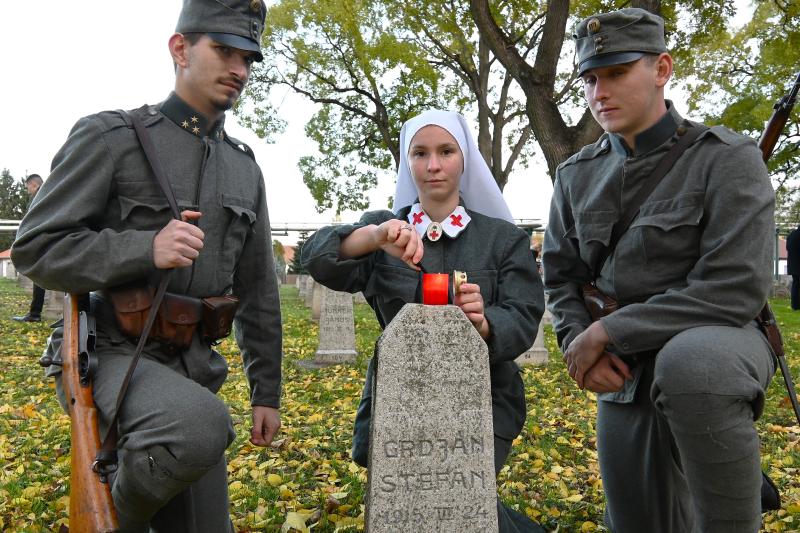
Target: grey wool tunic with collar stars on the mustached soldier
(92, 226)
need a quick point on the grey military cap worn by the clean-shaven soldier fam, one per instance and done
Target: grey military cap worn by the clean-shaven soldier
(618, 37)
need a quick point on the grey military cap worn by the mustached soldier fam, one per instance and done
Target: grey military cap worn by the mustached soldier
(235, 23)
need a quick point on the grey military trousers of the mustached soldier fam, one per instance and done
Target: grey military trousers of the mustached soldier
(173, 433)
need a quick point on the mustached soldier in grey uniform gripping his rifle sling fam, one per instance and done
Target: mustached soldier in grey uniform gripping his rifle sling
(101, 220)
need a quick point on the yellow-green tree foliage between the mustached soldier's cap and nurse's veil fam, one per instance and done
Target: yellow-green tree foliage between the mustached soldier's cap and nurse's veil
(339, 54)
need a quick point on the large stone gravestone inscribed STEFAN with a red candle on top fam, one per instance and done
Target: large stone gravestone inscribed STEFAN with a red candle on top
(432, 446)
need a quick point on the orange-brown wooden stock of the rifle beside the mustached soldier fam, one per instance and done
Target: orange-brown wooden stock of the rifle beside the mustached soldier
(91, 509)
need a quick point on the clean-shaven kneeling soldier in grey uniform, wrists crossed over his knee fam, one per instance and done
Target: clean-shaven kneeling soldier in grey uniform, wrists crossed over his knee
(681, 368)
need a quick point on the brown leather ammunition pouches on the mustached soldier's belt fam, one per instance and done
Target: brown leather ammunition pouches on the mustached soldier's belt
(177, 318)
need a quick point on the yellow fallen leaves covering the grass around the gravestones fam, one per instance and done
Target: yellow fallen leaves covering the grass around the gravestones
(309, 481)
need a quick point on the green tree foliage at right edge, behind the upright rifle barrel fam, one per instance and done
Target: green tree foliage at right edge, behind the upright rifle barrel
(735, 77)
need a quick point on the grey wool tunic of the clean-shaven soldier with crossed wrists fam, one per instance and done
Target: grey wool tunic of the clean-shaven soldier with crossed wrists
(698, 254)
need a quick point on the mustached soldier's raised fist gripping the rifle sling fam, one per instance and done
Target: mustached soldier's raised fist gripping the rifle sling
(178, 243)
